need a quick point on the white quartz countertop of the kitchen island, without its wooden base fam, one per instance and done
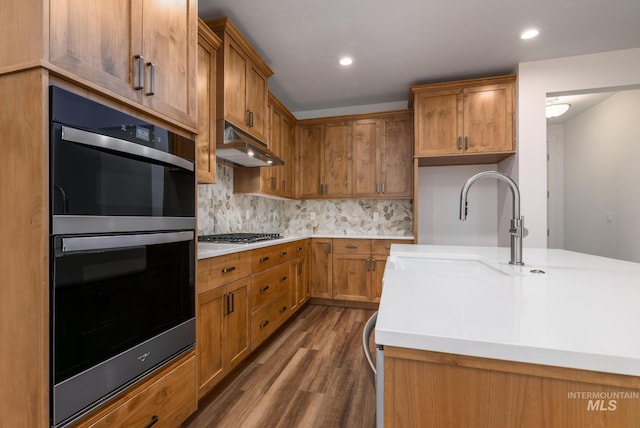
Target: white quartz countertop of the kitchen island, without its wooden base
(583, 312)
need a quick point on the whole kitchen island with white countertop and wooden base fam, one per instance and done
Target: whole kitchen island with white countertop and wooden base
(470, 340)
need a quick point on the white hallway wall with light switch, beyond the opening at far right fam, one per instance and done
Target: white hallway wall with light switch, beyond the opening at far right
(601, 173)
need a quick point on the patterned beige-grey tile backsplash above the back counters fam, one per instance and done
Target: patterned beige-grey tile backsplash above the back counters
(222, 211)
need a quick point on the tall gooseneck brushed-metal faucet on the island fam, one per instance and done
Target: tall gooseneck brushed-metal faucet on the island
(517, 222)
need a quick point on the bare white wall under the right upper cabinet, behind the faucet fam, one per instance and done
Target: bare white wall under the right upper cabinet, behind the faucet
(439, 202)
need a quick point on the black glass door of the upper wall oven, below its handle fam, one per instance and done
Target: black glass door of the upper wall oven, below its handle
(89, 181)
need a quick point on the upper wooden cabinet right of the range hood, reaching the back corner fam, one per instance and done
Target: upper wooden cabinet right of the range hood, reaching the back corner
(273, 180)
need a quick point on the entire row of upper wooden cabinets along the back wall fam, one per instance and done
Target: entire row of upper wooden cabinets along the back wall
(361, 156)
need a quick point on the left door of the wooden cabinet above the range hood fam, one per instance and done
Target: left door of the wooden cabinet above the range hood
(235, 84)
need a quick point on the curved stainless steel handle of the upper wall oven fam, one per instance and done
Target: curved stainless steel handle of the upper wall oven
(111, 143)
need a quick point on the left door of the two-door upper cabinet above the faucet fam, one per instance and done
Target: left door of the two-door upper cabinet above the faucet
(438, 122)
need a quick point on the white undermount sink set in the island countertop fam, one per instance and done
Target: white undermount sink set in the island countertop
(448, 265)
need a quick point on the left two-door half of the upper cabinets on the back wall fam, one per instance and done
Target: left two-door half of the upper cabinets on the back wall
(324, 156)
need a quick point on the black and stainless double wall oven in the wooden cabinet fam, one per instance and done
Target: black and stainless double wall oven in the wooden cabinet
(122, 195)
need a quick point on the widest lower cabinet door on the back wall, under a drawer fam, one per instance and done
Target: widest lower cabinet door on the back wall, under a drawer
(351, 277)
